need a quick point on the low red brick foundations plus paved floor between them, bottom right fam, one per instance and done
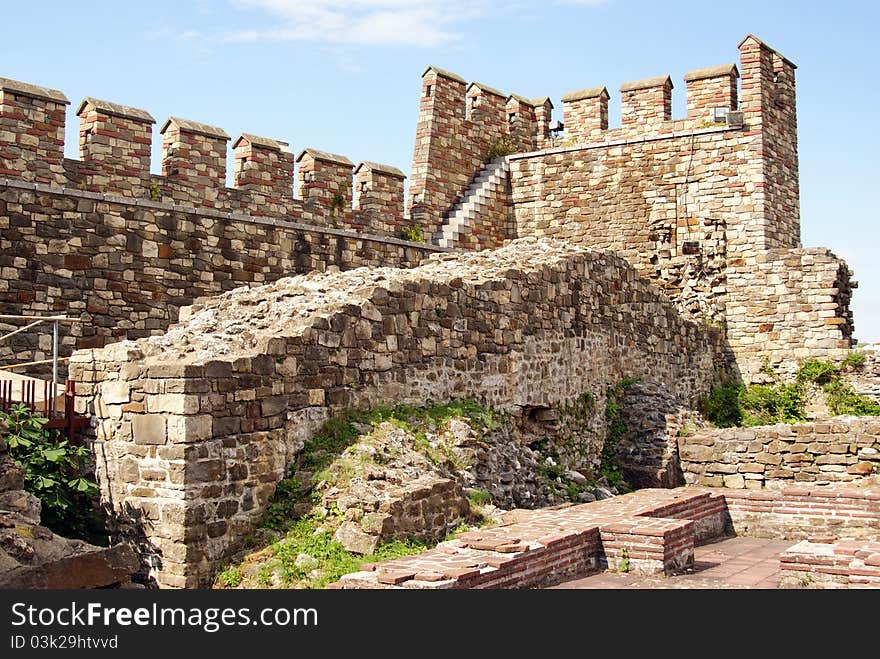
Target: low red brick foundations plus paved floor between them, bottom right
(659, 537)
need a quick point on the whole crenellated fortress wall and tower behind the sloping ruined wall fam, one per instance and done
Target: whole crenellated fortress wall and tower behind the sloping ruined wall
(708, 210)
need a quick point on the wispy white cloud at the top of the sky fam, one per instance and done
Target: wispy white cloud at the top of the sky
(365, 22)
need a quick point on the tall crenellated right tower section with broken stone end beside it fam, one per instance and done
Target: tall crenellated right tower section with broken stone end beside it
(707, 208)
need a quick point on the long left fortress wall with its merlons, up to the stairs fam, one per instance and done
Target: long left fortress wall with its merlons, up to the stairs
(102, 240)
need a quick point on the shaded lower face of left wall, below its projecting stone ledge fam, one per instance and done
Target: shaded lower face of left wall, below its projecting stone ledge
(124, 267)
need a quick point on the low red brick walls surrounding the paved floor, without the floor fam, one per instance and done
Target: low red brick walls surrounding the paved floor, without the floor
(658, 530)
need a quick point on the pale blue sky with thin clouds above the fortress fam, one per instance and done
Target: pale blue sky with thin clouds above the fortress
(343, 75)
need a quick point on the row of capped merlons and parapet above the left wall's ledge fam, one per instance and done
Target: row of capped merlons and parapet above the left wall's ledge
(115, 143)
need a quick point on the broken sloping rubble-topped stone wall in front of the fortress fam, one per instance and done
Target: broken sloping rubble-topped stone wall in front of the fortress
(195, 427)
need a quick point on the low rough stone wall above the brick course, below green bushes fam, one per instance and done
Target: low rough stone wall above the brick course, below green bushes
(838, 449)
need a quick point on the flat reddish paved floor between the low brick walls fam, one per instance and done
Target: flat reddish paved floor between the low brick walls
(729, 563)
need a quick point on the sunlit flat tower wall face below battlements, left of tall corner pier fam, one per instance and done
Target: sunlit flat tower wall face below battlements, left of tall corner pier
(645, 199)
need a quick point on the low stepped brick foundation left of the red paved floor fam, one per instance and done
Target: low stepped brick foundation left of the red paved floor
(651, 530)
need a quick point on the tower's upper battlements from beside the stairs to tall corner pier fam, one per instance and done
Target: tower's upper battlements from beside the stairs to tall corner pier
(459, 122)
